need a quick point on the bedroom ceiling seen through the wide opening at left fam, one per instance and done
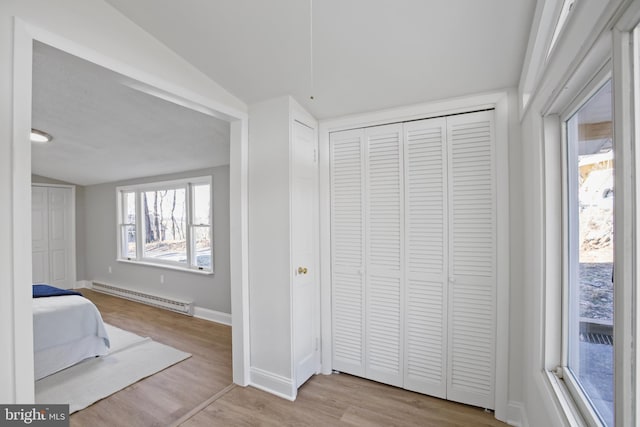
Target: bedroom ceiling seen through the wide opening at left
(105, 130)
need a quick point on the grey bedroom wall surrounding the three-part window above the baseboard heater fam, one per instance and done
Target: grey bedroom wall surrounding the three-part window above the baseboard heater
(207, 291)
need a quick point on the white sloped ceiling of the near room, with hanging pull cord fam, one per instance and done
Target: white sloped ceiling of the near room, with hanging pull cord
(367, 54)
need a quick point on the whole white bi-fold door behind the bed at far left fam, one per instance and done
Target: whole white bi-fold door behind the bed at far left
(52, 223)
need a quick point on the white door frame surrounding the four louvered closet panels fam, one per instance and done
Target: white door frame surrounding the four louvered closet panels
(502, 102)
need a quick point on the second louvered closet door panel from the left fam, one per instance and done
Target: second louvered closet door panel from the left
(384, 254)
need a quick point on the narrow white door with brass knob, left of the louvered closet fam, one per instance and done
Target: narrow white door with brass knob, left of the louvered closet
(304, 222)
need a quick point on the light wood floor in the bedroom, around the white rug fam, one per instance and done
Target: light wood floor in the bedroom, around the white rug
(165, 397)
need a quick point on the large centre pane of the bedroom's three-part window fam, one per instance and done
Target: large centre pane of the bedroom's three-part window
(165, 225)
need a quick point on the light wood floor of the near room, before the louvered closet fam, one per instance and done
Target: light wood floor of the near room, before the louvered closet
(339, 400)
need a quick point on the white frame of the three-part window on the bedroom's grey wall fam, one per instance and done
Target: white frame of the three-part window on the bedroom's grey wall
(187, 184)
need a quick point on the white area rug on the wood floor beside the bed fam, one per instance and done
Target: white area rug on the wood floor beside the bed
(130, 359)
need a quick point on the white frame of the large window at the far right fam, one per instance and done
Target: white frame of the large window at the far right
(616, 53)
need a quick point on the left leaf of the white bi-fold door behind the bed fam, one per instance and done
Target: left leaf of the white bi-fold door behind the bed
(40, 234)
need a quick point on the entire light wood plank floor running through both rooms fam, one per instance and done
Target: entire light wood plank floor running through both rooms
(198, 391)
